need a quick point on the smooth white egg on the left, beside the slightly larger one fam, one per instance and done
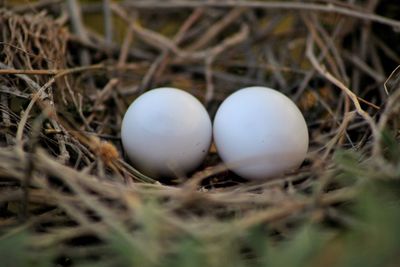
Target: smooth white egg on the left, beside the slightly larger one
(165, 132)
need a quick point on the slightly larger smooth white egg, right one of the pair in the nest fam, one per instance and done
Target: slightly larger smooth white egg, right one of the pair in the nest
(260, 133)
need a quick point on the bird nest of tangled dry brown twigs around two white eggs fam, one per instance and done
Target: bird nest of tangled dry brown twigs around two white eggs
(69, 197)
